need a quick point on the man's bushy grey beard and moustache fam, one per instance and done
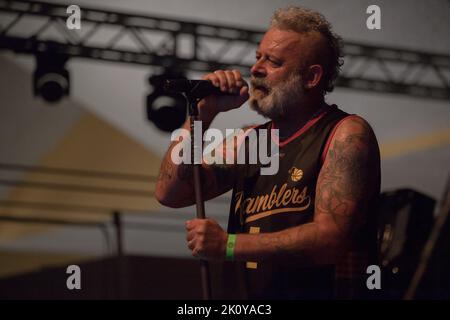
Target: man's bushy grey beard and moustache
(280, 100)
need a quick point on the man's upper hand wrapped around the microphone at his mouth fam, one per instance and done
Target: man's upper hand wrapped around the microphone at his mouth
(228, 81)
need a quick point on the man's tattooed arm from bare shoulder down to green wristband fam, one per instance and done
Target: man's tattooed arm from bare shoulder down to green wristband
(348, 179)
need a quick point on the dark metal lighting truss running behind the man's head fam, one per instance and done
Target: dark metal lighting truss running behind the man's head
(33, 27)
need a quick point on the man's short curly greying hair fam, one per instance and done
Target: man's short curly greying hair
(303, 20)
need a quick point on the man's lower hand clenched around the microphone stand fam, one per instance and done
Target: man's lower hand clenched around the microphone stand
(206, 239)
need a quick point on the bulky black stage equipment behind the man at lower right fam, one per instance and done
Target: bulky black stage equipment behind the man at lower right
(405, 222)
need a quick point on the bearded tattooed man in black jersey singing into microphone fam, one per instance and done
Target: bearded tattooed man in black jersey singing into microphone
(293, 234)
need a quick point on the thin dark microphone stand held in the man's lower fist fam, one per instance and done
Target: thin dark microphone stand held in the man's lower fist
(200, 205)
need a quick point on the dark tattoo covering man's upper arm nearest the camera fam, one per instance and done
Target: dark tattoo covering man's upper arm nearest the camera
(347, 178)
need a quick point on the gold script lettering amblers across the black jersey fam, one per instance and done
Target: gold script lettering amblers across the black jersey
(276, 202)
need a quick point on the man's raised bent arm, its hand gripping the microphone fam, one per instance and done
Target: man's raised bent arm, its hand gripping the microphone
(175, 186)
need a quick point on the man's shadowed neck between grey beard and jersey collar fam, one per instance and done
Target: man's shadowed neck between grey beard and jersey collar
(299, 117)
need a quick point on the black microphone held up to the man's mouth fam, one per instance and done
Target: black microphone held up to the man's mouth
(194, 88)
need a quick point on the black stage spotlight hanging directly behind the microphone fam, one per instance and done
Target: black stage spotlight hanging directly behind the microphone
(166, 110)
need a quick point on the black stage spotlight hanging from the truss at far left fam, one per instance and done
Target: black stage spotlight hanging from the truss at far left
(51, 79)
